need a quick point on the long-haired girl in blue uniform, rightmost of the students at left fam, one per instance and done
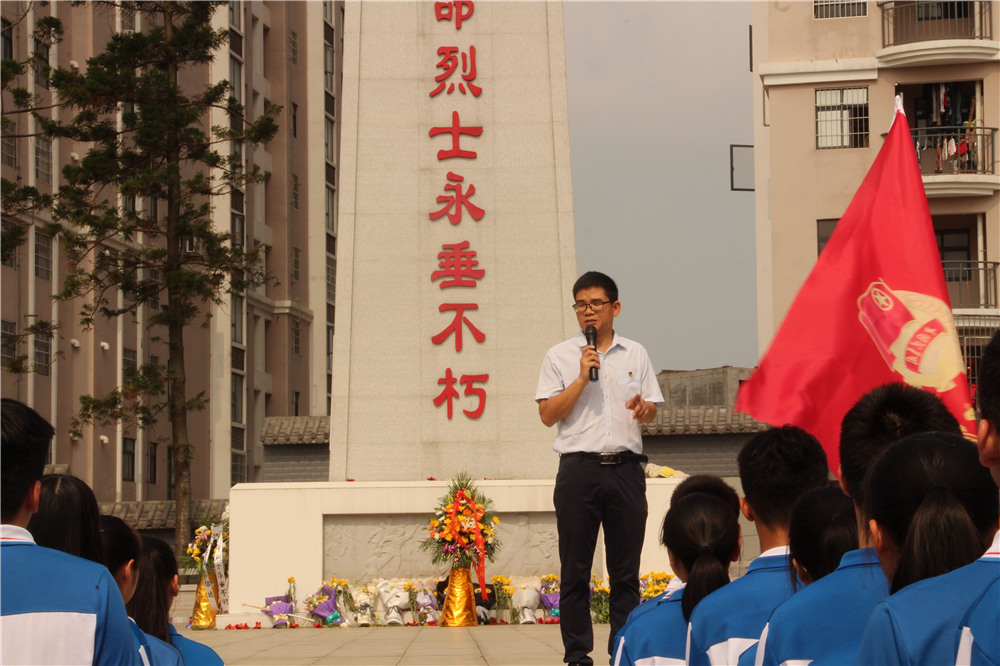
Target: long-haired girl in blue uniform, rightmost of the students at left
(150, 606)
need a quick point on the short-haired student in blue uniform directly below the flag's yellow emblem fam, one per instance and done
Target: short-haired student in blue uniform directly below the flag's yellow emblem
(845, 599)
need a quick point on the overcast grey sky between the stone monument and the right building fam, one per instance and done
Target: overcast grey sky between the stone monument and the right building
(657, 93)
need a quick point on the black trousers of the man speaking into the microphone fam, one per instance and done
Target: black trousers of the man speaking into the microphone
(588, 495)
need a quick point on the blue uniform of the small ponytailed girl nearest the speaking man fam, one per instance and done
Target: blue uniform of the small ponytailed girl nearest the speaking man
(658, 635)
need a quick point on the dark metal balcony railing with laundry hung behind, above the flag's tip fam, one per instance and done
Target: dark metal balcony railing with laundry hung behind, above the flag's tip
(955, 150)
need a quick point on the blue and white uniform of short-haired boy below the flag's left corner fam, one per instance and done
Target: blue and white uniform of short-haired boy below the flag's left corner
(728, 622)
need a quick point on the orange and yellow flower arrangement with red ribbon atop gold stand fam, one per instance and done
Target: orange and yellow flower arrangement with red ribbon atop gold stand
(462, 532)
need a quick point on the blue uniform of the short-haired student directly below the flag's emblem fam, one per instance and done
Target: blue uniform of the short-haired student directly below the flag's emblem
(840, 603)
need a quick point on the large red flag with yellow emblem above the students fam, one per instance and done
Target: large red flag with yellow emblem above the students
(874, 310)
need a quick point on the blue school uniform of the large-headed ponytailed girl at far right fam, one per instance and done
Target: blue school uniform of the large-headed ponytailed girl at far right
(920, 623)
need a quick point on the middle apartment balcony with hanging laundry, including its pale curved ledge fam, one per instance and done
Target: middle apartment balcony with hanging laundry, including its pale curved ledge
(957, 161)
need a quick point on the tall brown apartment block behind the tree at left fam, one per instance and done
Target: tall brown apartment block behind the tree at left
(263, 353)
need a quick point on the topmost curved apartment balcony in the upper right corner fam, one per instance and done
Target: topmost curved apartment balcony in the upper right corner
(936, 33)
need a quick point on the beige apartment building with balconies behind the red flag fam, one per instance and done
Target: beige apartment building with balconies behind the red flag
(826, 74)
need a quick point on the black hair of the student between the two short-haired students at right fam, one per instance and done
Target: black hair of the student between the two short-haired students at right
(823, 527)
